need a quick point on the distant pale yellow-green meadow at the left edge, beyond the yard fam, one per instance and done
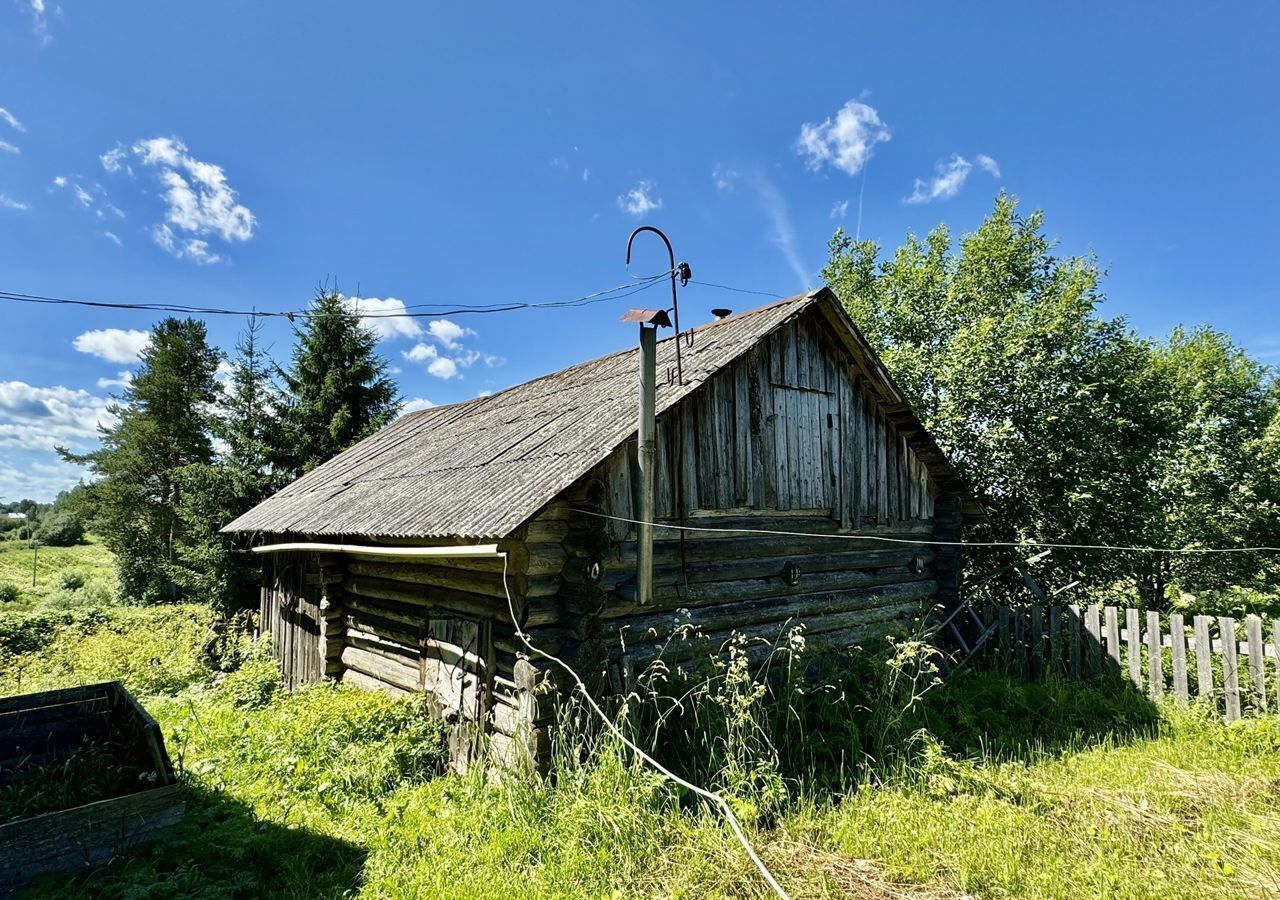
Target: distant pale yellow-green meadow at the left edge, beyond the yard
(66, 577)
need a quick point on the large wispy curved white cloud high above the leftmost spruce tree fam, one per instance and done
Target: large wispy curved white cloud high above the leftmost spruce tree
(200, 203)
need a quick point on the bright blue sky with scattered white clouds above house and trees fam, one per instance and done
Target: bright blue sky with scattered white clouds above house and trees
(240, 154)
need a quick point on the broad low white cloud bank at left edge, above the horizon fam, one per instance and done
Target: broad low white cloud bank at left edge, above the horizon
(36, 418)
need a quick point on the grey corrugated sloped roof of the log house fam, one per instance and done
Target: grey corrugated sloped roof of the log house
(482, 468)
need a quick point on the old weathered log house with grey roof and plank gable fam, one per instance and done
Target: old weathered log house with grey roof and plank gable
(785, 422)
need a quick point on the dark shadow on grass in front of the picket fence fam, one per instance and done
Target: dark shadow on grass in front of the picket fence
(1008, 716)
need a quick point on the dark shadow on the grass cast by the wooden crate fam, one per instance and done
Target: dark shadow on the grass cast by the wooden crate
(221, 852)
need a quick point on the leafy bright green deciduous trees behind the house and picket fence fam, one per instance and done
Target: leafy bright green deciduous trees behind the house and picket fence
(1068, 427)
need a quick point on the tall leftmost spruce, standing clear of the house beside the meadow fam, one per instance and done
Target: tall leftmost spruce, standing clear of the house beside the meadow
(162, 424)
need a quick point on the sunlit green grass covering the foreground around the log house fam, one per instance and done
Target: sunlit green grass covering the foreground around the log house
(999, 791)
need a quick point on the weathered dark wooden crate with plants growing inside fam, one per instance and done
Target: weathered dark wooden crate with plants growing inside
(39, 730)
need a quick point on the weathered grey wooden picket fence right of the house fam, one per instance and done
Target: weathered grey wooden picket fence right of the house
(1155, 652)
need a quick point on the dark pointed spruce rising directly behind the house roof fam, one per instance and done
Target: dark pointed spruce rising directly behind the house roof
(339, 391)
